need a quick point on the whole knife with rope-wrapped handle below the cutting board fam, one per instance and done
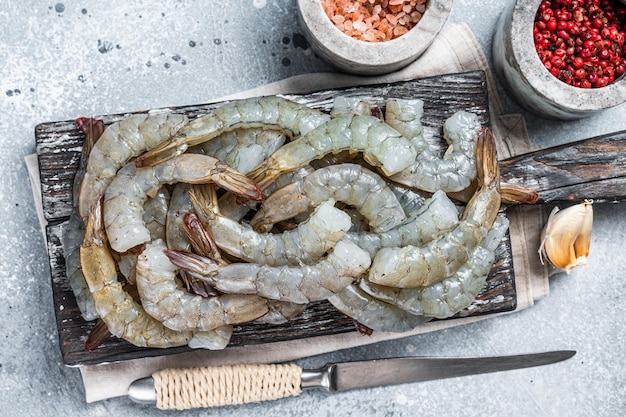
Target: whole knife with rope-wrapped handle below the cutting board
(238, 384)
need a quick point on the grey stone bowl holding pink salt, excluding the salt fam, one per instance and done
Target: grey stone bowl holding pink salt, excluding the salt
(369, 58)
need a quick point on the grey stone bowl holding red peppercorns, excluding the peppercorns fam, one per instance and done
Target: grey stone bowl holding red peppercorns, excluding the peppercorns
(523, 75)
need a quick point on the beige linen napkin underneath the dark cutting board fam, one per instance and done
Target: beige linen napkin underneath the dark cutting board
(454, 50)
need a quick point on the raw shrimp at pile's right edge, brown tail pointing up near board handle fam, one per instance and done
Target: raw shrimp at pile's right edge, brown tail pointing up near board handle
(414, 266)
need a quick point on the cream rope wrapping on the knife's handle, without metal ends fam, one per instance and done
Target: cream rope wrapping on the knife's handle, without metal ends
(213, 386)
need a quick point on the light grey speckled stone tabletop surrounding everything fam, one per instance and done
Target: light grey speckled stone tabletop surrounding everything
(59, 61)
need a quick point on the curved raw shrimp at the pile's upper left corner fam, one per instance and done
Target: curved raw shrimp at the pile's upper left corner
(119, 143)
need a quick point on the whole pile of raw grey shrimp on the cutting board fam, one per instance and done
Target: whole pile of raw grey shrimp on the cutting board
(183, 228)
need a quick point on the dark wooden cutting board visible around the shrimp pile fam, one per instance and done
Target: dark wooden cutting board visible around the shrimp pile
(58, 149)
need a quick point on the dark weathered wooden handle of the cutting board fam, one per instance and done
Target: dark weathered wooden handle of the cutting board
(593, 168)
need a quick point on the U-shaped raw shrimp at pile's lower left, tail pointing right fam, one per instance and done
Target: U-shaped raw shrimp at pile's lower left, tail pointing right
(179, 310)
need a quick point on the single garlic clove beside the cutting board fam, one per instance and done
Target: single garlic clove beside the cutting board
(566, 237)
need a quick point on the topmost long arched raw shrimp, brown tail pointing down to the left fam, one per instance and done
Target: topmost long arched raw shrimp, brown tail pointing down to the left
(271, 112)
